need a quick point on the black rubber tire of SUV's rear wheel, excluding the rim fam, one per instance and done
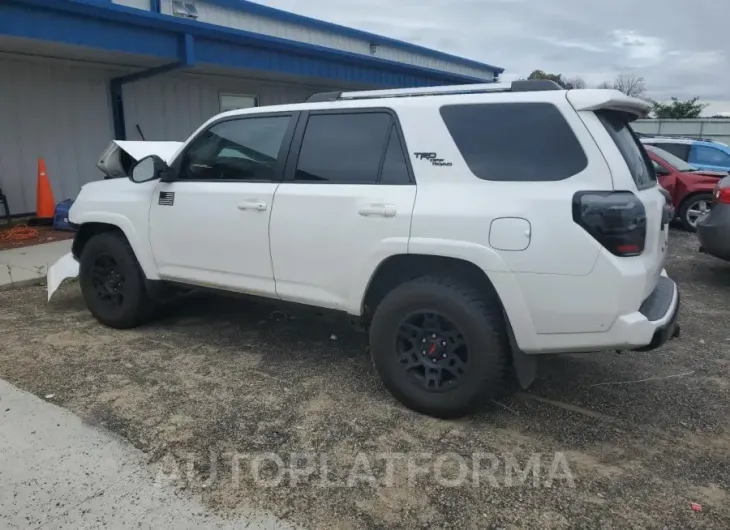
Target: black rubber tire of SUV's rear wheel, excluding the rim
(481, 322)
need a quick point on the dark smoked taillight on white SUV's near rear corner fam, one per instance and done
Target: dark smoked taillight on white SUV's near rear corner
(616, 219)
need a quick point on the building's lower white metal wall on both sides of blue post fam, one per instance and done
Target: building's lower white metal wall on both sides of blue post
(60, 111)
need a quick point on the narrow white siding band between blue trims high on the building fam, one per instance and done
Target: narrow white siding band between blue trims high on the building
(233, 18)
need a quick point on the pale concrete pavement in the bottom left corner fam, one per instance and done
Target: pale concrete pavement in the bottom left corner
(58, 472)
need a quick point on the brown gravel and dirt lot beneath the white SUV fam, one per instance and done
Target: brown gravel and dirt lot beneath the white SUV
(643, 434)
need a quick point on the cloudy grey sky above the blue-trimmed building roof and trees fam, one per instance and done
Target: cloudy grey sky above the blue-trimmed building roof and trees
(680, 47)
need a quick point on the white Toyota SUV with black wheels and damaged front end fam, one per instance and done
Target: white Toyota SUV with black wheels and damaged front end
(471, 228)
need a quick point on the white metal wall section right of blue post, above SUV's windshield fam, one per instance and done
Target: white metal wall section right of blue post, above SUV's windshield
(171, 107)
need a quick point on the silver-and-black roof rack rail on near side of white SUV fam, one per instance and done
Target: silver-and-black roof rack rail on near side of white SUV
(530, 85)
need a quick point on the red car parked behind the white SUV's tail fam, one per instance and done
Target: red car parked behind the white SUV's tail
(691, 188)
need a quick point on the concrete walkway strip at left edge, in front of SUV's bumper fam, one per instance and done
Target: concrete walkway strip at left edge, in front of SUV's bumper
(27, 265)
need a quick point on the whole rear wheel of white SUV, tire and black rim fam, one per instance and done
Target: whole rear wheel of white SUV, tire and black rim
(440, 347)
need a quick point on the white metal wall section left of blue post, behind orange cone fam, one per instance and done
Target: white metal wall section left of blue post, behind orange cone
(55, 111)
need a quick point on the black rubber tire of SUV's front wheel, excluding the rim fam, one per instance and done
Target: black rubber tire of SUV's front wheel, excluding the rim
(136, 307)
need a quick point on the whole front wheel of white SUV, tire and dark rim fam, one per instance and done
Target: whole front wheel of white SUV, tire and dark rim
(112, 282)
